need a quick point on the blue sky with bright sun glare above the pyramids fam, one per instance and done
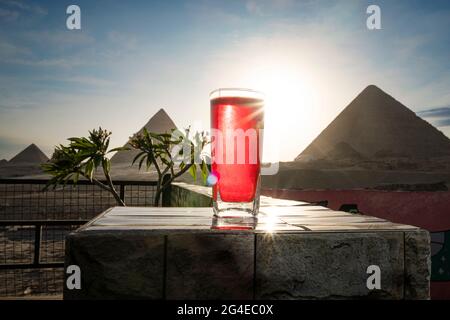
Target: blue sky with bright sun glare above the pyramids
(133, 57)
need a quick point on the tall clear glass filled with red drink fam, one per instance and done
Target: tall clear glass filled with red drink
(237, 123)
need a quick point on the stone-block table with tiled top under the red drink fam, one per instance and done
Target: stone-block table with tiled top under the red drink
(296, 251)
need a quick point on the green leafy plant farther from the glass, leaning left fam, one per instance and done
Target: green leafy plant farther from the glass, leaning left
(81, 158)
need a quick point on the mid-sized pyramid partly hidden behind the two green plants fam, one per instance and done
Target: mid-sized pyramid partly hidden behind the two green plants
(159, 123)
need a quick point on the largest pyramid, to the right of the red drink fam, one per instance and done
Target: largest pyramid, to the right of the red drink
(374, 124)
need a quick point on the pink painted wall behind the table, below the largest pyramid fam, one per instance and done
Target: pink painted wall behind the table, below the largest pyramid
(428, 210)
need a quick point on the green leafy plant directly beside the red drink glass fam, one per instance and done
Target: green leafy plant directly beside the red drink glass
(163, 151)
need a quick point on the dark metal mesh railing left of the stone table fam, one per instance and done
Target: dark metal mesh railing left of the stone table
(34, 223)
